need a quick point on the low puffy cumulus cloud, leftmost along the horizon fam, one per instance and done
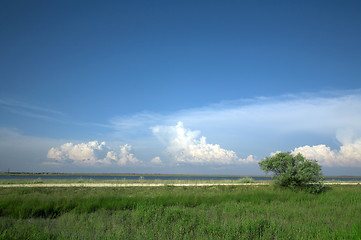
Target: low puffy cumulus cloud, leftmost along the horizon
(91, 153)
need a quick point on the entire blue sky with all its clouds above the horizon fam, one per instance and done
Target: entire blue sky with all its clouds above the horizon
(179, 87)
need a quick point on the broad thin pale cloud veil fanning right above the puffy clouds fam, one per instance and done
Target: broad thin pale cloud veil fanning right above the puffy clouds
(260, 125)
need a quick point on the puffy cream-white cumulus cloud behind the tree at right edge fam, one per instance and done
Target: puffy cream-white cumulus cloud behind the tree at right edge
(349, 154)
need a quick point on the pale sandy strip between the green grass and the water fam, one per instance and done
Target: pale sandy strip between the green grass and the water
(150, 184)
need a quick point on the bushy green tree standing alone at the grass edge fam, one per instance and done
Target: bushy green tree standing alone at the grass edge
(294, 171)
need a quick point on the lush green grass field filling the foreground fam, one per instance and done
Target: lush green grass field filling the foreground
(219, 212)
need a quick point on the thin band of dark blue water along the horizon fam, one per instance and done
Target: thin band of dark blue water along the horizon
(146, 177)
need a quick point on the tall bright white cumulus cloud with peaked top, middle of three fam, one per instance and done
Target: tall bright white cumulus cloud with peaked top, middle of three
(184, 146)
